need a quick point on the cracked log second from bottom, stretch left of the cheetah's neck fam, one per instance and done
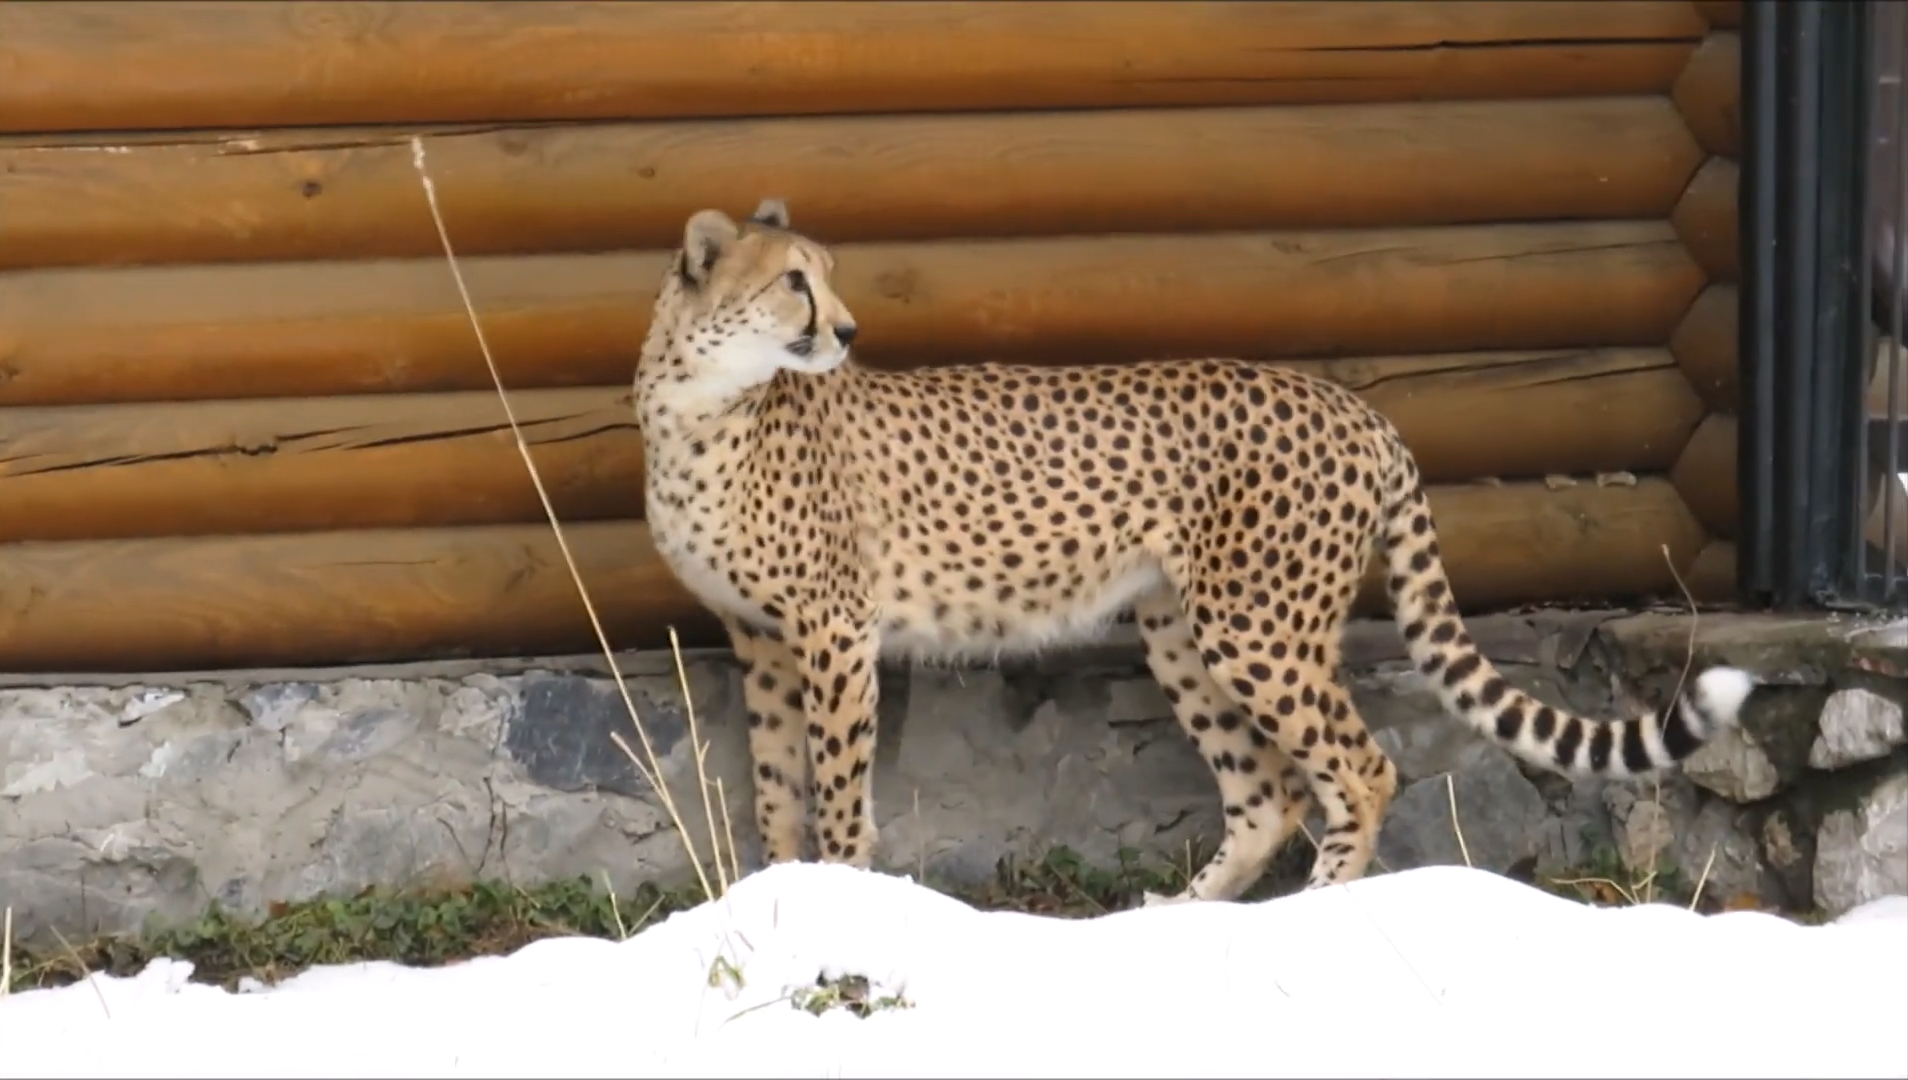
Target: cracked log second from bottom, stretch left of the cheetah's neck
(306, 465)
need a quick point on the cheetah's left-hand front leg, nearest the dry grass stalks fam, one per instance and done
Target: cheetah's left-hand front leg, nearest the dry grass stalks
(772, 692)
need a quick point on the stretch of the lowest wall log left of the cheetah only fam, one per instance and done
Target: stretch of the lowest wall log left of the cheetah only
(323, 598)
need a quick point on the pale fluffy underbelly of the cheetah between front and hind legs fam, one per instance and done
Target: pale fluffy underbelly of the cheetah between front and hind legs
(955, 625)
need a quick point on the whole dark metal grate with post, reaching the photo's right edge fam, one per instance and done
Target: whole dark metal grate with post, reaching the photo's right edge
(1825, 304)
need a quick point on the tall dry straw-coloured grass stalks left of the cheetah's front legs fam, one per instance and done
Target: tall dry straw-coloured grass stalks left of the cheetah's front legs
(652, 772)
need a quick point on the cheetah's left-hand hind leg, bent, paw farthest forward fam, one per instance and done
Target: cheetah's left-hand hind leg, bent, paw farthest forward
(1264, 793)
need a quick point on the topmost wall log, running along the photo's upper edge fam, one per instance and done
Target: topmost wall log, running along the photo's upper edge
(85, 66)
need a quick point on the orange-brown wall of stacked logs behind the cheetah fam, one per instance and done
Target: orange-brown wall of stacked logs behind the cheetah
(243, 419)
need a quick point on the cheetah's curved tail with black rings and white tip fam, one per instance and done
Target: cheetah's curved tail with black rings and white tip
(1474, 692)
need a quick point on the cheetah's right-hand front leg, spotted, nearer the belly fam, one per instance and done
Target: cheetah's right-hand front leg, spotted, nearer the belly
(840, 688)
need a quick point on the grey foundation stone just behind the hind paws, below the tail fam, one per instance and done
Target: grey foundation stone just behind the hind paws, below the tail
(1501, 816)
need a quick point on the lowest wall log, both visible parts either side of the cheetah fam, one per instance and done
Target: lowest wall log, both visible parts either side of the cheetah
(339, 598)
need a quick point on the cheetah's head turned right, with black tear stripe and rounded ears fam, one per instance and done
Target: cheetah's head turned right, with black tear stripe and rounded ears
(757, 299)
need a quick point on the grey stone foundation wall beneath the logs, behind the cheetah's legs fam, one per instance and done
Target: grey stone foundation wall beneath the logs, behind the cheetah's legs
(157, 797)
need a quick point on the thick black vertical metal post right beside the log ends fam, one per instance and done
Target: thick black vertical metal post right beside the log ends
(1804, 302)
